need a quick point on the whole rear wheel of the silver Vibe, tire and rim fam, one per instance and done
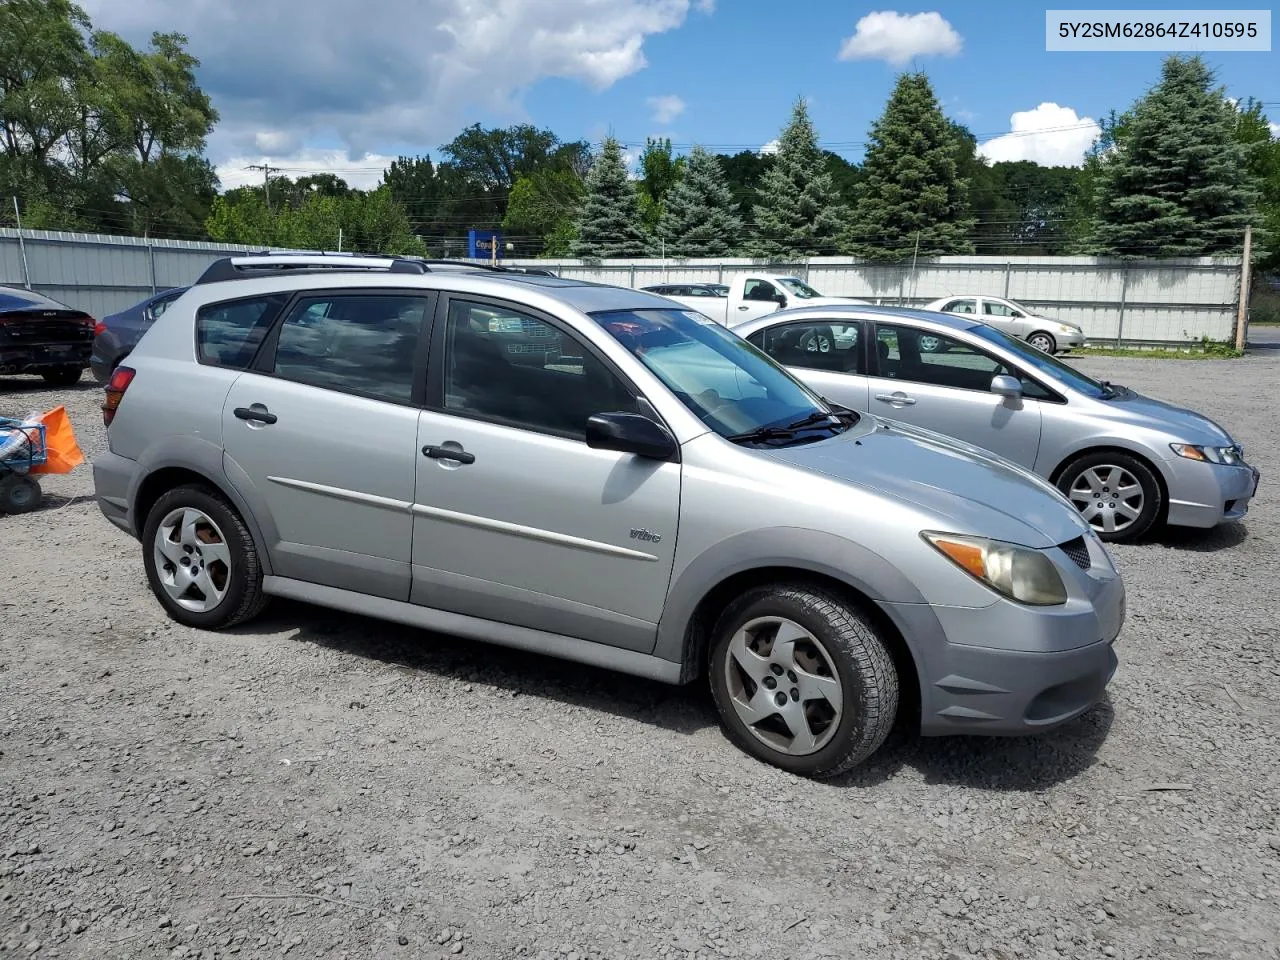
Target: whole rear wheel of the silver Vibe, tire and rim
(202, 561)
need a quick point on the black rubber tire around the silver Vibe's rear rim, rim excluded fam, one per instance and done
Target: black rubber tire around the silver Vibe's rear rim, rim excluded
(245, 598)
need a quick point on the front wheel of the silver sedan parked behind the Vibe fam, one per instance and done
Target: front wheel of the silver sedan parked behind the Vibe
(1118, 496)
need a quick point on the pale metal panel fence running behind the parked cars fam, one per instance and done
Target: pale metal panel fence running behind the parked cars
(1151, 301)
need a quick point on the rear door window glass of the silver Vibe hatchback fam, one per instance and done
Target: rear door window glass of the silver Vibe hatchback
(363, 345)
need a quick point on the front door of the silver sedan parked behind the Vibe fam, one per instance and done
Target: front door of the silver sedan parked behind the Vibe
(948, 388)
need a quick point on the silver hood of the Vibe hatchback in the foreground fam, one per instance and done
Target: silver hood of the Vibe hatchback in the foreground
(972, 492)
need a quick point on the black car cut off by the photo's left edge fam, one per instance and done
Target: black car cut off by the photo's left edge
(42, 336)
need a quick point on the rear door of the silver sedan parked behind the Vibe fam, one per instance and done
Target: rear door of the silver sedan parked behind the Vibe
(828, 355)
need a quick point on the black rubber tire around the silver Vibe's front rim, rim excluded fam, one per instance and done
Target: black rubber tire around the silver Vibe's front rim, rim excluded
(868, 679)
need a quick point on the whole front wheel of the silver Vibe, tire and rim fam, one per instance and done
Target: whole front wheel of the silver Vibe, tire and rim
(803, 680)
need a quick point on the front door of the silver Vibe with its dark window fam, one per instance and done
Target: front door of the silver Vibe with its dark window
(516, 519)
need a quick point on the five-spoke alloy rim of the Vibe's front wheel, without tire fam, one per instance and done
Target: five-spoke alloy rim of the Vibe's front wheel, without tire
(784, 687)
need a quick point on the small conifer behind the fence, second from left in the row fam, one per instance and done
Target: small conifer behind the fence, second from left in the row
(700, 218)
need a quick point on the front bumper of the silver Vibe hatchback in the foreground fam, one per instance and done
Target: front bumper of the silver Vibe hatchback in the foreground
(1009, 670)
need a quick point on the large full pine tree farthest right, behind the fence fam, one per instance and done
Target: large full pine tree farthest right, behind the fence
(1177, 182)
